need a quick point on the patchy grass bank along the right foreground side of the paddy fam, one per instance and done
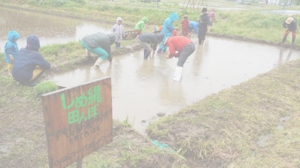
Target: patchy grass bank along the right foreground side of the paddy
(229, 127)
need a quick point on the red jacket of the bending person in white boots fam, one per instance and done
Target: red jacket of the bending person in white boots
(177, 43)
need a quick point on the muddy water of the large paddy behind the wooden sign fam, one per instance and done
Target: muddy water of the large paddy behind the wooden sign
(143, 88)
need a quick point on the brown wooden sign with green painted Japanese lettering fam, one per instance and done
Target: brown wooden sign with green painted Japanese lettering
(78, 121)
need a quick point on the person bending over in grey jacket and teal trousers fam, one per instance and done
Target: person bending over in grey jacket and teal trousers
(99, 44)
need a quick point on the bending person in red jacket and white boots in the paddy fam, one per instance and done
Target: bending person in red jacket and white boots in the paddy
(181, 47)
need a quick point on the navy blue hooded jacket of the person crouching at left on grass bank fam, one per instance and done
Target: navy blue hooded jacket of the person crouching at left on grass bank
(27, 59)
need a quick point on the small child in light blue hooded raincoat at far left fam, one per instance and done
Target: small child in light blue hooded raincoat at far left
(11, 49)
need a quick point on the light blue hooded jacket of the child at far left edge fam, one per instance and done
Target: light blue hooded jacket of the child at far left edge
(11, 47)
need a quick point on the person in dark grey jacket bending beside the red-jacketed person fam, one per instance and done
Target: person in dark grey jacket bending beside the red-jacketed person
(146, 39)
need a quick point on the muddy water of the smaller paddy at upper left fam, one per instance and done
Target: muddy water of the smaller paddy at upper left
(50, 29)
